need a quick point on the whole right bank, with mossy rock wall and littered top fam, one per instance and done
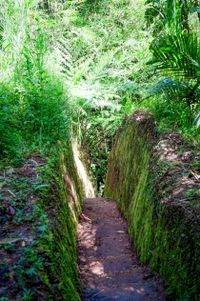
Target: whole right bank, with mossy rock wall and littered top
(155, 180)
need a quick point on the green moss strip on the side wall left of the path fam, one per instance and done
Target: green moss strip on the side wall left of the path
(62, 247)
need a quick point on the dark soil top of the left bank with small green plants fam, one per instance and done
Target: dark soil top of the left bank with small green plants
(18, 220)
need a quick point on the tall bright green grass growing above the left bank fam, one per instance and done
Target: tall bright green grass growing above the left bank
(34, 109)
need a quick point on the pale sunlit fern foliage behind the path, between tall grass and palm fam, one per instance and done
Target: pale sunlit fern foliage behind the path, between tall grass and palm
(107, 73)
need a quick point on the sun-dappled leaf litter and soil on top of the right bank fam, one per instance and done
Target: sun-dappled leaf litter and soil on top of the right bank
(181, 177)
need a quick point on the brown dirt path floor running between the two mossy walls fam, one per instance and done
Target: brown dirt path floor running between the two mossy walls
(108, 266)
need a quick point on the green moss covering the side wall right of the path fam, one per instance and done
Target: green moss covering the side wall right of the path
(164, 236)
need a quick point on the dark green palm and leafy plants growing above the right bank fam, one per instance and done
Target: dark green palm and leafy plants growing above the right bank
(176, 55)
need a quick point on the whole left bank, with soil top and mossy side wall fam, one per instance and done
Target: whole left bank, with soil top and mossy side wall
(38, 214)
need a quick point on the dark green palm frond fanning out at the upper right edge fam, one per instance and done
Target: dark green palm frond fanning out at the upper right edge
(178, 53)
